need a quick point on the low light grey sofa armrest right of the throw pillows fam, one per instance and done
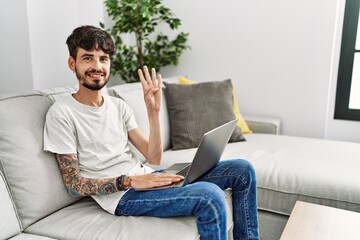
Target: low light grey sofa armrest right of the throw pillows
(260, 124)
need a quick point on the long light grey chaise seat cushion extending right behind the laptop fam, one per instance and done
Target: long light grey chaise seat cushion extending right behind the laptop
(295, 168)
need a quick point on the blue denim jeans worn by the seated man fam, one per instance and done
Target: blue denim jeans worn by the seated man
(204, 199)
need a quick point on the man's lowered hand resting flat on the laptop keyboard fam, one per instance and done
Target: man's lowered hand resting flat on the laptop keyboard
(154, 180)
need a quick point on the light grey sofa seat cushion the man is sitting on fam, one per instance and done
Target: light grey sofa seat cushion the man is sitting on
(86, 220)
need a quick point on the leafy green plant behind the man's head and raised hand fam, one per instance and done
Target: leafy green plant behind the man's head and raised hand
(140, 18)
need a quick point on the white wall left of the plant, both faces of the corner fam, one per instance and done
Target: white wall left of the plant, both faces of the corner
(35, 33)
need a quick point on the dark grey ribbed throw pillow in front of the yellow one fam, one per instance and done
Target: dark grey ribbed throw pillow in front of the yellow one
(197, 108)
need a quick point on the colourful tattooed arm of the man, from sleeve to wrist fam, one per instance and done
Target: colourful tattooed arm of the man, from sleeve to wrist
(78, 185)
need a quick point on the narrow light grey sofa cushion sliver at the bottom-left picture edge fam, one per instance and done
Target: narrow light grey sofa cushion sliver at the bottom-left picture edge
(9, 224)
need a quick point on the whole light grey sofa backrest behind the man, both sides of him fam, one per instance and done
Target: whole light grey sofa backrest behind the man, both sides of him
(32, 175)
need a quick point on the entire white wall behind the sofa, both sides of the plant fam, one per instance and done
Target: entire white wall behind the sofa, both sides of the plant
(282, 55)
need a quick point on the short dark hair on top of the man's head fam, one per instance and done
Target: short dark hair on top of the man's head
(90, 38)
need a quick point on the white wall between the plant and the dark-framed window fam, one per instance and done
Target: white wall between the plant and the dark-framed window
(278, 53)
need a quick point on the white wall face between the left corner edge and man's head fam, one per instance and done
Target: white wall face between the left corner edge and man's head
(50, 22)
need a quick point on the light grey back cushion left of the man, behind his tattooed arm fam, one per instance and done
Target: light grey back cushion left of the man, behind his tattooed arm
(32, 175)
